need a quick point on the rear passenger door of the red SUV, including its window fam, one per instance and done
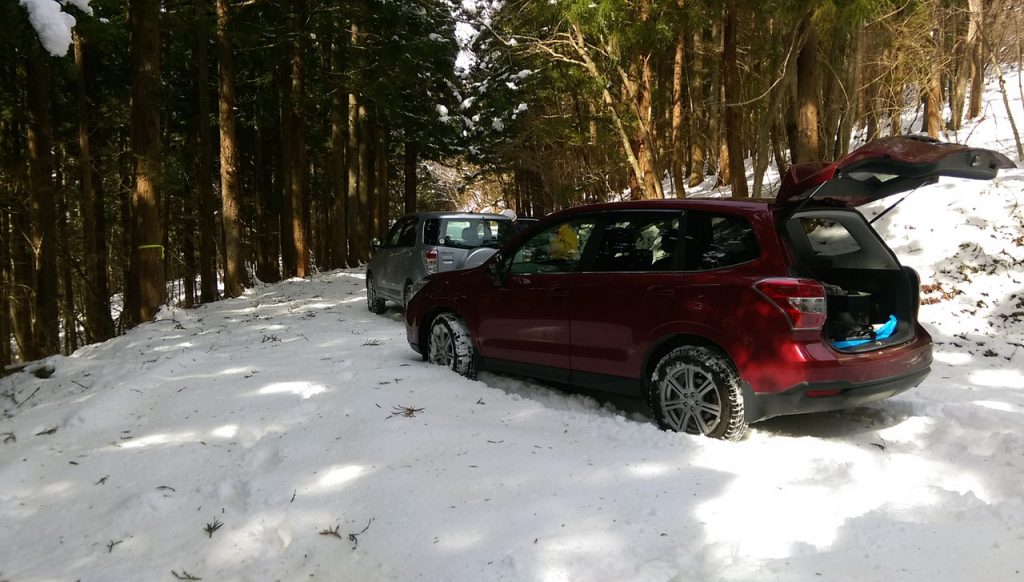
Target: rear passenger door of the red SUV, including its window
(627, 290)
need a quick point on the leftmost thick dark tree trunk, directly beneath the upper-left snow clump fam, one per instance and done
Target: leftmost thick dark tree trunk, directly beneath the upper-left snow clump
(47, 324)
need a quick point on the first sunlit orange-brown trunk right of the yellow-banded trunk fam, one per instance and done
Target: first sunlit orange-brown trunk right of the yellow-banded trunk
(236, 277)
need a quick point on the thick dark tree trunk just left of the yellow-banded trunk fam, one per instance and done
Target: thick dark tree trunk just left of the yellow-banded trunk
(99, 324)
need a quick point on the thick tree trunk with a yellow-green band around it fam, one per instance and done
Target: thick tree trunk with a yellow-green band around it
(148, 256)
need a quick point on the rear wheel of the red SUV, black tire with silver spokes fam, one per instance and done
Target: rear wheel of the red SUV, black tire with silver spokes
(697, 390)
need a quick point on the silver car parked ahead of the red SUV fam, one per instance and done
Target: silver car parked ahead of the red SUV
(424, 243)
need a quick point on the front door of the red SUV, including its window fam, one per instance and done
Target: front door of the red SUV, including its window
(525, 324)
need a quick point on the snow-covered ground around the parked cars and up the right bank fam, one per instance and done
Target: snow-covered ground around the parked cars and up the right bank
(291, 435)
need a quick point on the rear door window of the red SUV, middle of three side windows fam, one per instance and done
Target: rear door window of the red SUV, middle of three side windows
(645, 242)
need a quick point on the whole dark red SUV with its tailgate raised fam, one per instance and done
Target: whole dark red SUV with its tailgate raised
(720, 313)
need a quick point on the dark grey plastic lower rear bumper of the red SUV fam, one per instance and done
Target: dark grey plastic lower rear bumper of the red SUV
(826, 396)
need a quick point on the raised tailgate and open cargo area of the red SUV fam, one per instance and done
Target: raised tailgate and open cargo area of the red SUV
(872, 300)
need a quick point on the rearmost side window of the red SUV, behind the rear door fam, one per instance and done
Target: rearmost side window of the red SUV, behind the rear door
(717, 241)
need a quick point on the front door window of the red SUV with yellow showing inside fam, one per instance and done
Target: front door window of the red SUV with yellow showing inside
(557, 250)
